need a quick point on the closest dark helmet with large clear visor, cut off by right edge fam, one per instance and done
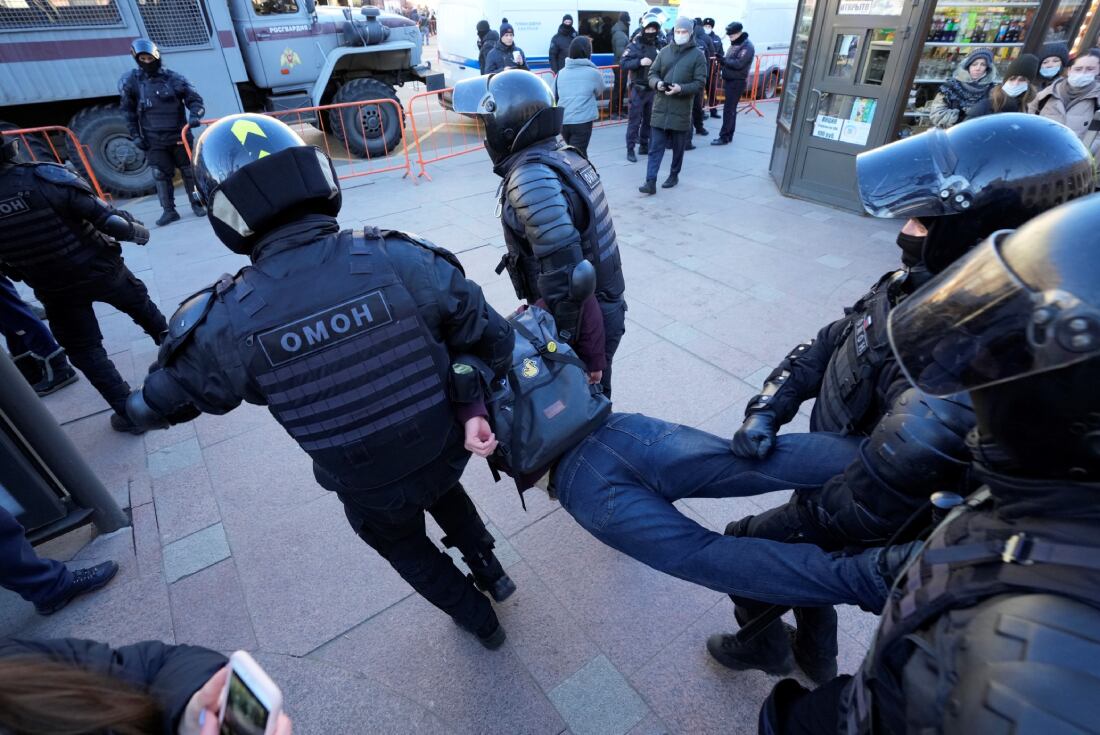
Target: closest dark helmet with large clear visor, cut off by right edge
(1017, 322)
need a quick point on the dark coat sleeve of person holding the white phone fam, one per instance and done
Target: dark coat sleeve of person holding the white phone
(171, 674)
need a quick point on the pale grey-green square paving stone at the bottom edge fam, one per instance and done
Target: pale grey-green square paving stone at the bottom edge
(599, 701)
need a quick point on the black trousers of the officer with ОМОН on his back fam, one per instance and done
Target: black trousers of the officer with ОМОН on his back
(399, 535)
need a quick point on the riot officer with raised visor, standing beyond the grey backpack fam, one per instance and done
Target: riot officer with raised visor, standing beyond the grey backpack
(553, 204)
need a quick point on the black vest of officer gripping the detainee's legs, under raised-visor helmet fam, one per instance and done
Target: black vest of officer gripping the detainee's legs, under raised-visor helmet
(849, 387)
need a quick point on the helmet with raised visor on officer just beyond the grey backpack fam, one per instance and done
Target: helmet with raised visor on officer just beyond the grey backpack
(516, 107)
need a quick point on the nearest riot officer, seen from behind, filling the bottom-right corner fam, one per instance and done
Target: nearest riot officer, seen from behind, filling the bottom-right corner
(994, 628)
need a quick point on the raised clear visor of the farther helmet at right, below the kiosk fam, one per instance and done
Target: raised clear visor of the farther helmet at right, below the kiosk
(906, 179)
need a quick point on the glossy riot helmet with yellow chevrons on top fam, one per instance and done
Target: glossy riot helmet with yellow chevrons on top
(255, 174)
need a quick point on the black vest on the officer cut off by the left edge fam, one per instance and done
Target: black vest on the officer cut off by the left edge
(38, 243)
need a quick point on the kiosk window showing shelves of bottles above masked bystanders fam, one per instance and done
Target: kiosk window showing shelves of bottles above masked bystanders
(958, 30)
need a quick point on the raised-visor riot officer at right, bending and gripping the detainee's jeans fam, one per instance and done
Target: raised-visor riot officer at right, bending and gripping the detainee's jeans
(959, 187)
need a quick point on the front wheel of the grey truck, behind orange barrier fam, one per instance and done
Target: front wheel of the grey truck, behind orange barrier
(372, 130)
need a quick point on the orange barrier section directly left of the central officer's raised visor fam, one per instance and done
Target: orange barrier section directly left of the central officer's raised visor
(439, 133)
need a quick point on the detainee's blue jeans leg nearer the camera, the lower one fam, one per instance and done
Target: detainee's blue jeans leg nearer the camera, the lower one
(608, 498)
